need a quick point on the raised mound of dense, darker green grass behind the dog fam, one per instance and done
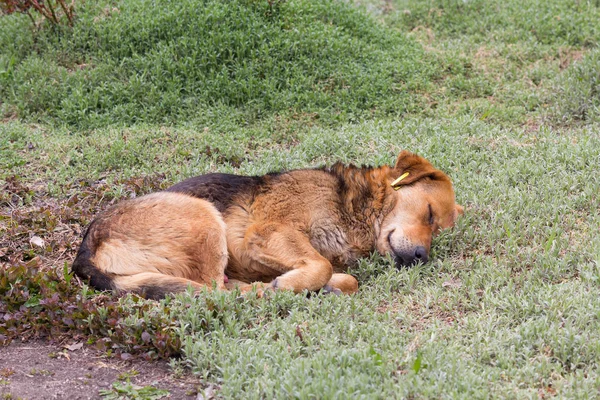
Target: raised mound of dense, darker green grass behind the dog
(159, 61)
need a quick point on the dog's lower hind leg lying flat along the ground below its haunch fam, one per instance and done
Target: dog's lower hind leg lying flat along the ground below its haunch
(154, 285)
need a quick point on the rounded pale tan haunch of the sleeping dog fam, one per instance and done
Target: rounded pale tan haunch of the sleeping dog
(163, 238)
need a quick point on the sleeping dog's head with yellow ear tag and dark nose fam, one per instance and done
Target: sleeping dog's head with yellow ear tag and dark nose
(423, 204)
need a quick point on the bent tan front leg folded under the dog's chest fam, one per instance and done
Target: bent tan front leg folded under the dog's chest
(290, 252)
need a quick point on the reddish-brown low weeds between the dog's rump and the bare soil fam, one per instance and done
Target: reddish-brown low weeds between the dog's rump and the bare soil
(44, 304)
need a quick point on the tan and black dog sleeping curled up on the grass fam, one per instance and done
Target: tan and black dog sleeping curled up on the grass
(294, 230)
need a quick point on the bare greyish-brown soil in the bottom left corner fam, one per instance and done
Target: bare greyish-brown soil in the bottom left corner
(41, 370)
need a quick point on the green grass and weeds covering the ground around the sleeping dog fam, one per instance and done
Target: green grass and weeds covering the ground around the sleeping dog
(501, 95)
